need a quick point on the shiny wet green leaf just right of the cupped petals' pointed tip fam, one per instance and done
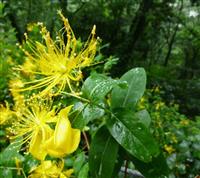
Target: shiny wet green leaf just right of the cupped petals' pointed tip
(84, 113)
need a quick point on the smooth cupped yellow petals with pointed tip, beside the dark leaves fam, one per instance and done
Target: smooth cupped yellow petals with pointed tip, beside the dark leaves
(65, 139)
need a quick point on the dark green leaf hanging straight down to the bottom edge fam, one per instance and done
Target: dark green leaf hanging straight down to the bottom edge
(102, 155)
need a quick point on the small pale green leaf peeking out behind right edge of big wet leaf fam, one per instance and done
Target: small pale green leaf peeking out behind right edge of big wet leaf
(144, 117)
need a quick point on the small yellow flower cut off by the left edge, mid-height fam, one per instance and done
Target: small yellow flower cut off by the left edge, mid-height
(5, 113)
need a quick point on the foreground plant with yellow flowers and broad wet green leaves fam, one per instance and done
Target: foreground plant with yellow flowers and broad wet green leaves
(48, 134)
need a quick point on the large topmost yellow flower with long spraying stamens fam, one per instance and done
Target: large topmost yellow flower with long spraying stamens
(55, 63)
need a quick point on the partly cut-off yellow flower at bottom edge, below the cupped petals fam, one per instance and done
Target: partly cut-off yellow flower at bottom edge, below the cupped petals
(49, 169)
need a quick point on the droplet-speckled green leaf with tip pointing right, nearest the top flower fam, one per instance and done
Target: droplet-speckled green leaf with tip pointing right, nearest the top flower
(97, 86)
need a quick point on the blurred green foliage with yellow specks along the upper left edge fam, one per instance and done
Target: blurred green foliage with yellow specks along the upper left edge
(9, 52)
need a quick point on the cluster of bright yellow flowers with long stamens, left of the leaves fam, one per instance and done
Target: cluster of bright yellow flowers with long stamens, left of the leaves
(49, 68)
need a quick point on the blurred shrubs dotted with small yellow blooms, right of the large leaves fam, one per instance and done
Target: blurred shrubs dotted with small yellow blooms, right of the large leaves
(177, 134)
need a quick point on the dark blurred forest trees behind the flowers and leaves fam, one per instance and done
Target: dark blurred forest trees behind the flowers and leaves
(161, 35)
